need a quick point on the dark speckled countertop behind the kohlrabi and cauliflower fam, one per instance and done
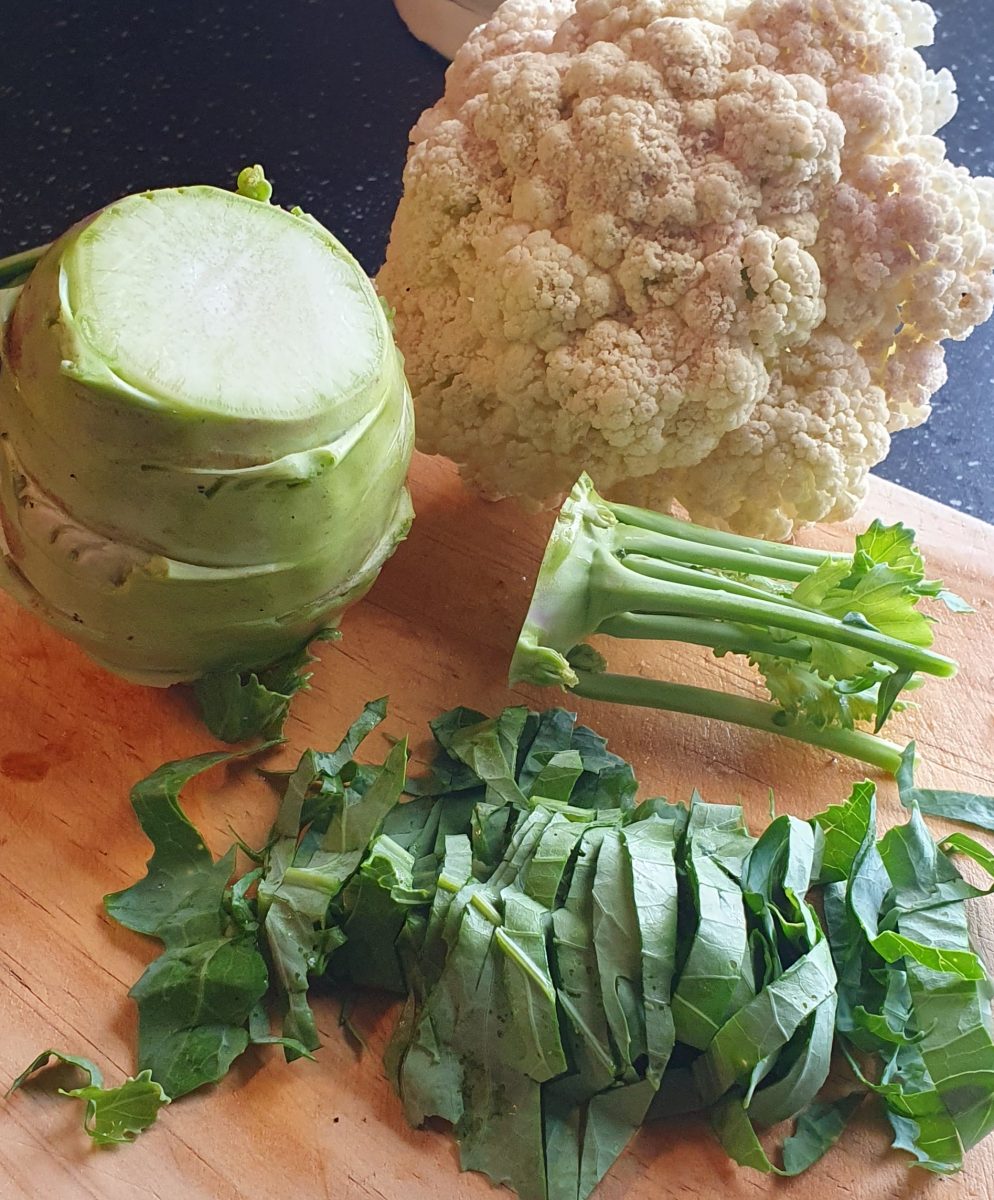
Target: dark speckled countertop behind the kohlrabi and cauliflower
(101, 99)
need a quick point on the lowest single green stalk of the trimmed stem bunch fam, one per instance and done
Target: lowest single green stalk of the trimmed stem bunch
(736, 710)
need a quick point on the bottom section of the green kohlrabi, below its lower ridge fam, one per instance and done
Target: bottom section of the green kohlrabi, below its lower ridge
(159, 621)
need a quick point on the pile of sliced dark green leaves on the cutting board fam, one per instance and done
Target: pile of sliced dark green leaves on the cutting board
(573, 963)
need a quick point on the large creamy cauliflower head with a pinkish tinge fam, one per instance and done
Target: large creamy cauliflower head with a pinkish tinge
(705, 250)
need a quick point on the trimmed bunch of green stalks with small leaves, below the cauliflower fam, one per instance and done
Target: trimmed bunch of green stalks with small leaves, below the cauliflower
(837, 639)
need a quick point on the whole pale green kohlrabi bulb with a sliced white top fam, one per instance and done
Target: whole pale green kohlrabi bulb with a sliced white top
(205, 435)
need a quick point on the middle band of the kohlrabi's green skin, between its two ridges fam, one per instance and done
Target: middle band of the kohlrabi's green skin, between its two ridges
(339, 495)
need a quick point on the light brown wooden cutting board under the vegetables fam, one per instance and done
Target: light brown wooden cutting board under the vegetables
(436, 632)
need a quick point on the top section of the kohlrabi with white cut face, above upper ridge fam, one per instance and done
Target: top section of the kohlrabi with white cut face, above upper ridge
(195, 327)
